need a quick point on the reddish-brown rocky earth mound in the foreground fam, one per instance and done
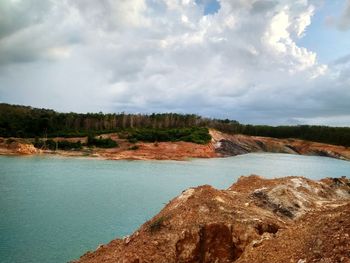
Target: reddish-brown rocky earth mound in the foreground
(253, 217)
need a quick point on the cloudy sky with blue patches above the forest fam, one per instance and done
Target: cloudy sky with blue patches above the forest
(256, 61)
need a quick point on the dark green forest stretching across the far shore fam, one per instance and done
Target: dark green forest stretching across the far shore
(28, 122)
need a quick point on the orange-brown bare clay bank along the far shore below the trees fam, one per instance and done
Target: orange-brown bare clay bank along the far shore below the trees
(221, 145)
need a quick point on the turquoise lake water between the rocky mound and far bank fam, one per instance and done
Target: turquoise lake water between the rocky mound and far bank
(54, 209)
